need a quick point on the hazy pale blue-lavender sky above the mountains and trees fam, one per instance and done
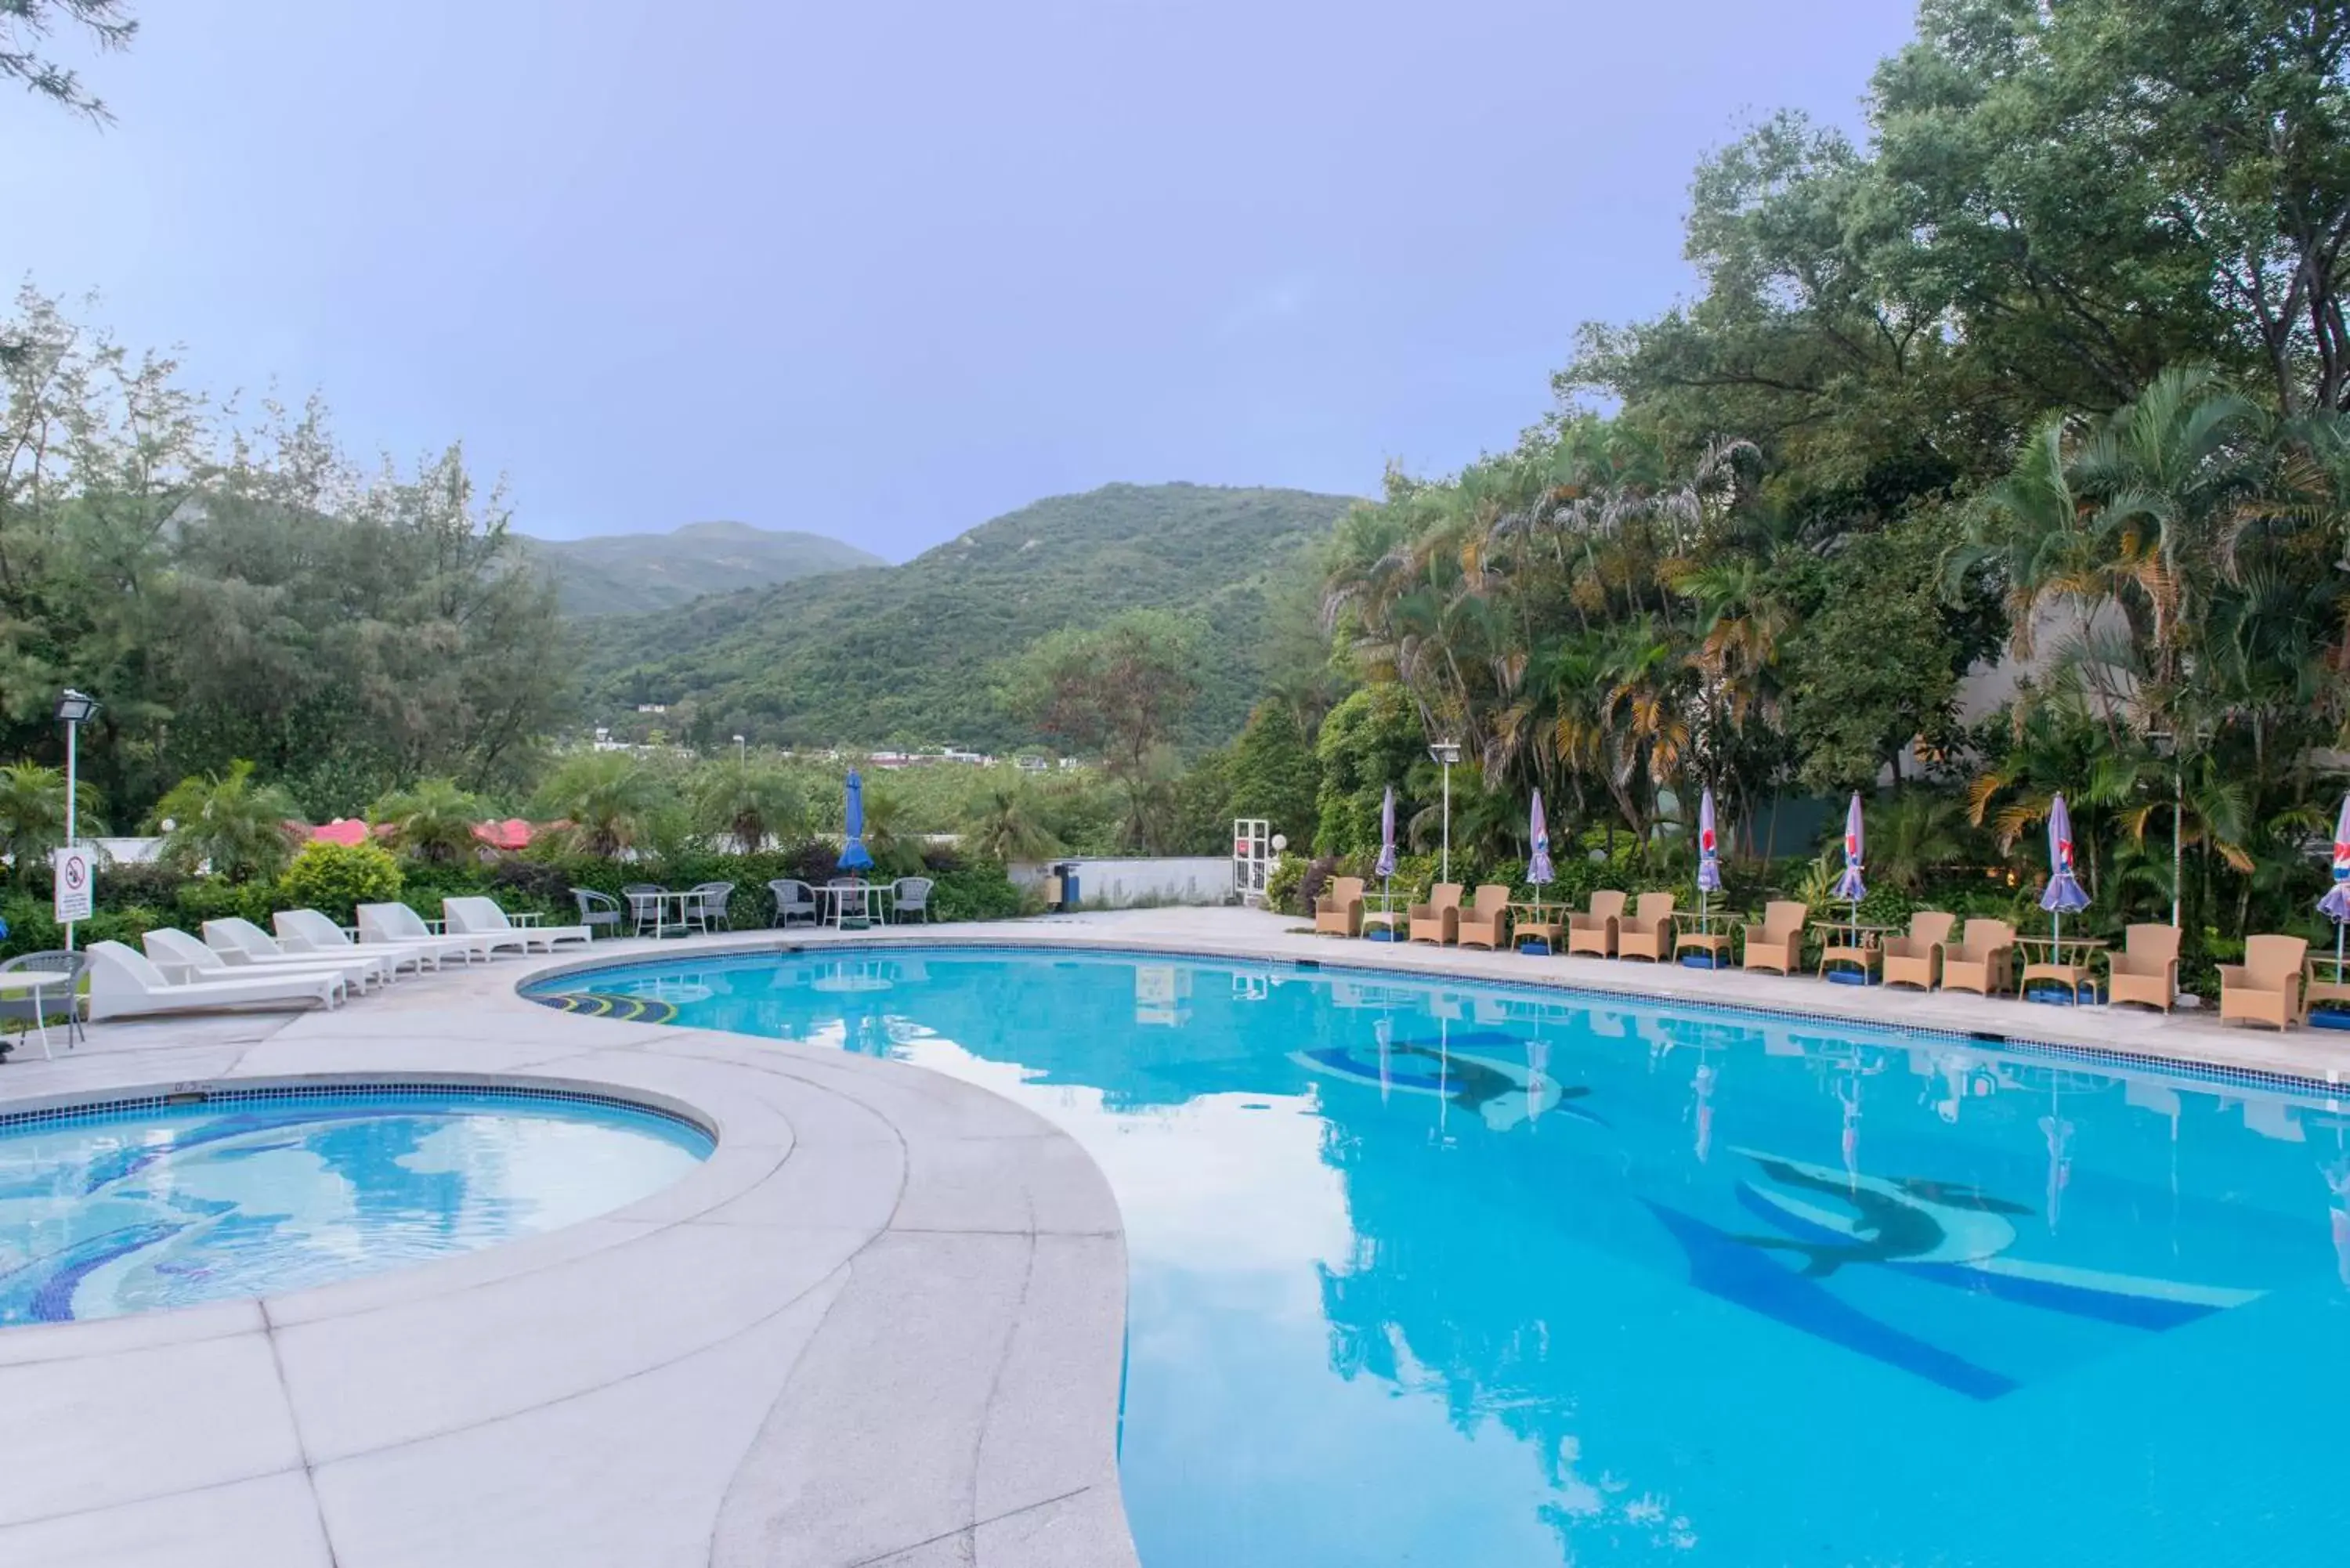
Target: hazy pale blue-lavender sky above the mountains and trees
(887, 272)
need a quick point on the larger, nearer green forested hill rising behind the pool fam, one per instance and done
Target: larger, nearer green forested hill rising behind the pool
(906, 655)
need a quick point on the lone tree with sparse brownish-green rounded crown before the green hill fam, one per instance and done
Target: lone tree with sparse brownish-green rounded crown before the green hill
(1117, 692)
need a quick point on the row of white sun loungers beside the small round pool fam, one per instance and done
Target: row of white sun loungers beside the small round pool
(307, 960)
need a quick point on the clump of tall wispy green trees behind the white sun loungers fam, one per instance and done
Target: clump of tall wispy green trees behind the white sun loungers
(250, 594)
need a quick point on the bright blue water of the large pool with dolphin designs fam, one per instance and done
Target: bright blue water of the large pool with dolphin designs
(1435, 1273)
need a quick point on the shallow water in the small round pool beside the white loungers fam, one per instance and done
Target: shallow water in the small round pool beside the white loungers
(140, 1209)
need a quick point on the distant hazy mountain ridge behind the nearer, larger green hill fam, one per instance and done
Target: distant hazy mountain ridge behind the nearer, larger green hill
(645, 572)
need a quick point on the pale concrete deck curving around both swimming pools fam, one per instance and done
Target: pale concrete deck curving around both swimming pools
(882, 1325)
